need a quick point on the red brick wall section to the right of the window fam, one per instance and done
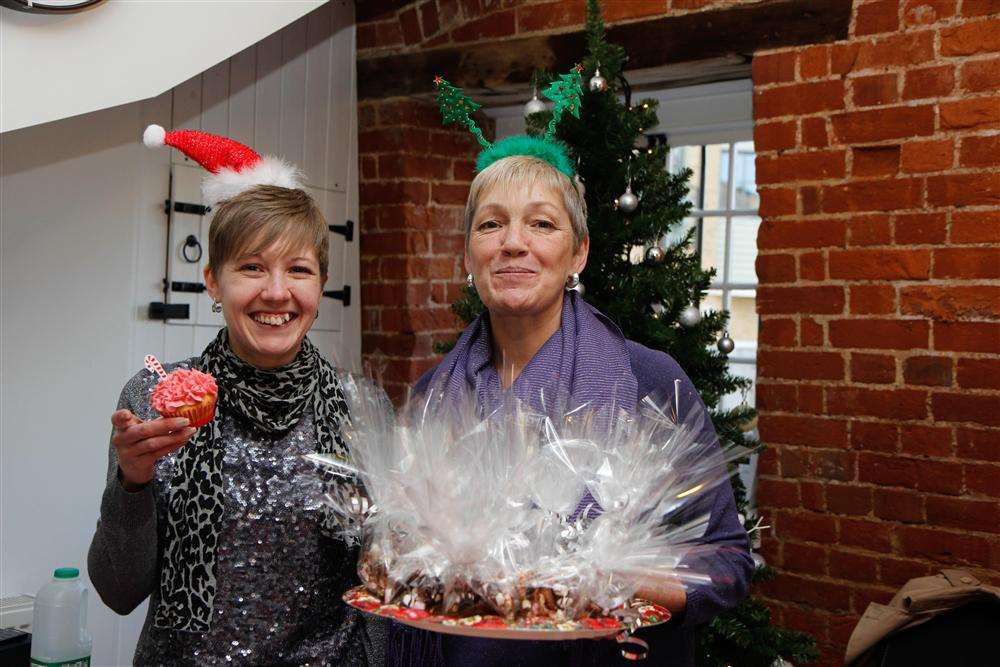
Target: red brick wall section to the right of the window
(879, 300)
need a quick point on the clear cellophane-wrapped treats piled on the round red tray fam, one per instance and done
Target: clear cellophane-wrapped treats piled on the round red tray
(460, 513)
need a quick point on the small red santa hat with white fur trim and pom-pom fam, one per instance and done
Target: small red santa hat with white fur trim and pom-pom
(232, 166)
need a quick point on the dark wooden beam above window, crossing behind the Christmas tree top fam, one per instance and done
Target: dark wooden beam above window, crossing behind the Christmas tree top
(496, 66)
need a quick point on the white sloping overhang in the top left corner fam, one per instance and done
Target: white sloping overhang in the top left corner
(116, 49)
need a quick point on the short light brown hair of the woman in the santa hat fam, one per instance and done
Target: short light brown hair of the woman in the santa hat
(262, 216)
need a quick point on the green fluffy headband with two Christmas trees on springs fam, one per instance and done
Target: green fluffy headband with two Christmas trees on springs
(565, 93)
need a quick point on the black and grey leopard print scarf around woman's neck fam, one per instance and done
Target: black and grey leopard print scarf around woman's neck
(270, 400)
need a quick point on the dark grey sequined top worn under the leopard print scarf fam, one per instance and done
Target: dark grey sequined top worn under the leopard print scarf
(279, 576)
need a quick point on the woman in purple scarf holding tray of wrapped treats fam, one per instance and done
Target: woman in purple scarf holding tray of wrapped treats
(526, 243)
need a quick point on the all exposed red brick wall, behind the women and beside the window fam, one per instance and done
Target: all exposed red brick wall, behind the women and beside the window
(879, 280)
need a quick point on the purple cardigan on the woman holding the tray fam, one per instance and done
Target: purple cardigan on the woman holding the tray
(672, 644)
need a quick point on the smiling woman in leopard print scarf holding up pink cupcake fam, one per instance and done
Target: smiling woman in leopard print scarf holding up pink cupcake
(222, 532)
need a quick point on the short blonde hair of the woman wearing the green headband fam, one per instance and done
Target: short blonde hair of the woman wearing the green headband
(518, 171)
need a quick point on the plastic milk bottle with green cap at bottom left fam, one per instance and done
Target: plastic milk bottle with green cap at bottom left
(59, 630)
